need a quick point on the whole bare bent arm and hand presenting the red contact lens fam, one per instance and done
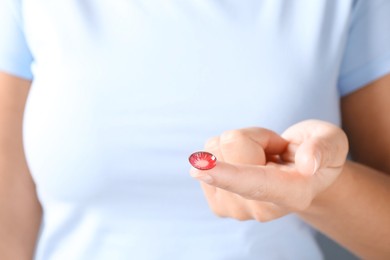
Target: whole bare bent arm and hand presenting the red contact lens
(261, 175)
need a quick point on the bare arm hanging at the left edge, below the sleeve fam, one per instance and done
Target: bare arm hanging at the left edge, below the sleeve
(20, 211)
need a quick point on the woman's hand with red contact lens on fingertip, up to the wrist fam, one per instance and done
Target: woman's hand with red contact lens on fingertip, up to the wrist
(261, 175)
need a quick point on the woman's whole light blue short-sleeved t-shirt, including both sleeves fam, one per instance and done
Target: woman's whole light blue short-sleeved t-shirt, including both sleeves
(124, 91)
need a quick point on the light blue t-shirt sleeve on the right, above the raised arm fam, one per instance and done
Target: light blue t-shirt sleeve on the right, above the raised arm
(367, 52)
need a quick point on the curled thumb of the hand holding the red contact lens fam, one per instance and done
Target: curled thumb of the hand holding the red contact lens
(317, 145)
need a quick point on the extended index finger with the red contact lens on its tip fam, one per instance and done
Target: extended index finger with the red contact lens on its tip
(264, 183)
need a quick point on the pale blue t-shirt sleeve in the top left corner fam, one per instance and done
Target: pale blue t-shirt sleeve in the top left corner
(15, 56)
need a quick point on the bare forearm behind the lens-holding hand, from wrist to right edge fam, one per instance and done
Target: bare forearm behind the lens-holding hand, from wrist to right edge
(355, 211)
